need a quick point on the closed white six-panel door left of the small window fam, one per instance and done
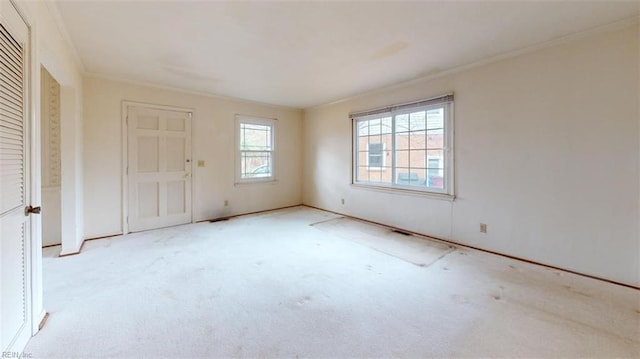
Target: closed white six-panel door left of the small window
(159, 167)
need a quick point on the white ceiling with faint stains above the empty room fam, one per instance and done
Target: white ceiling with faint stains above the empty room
(301, 54)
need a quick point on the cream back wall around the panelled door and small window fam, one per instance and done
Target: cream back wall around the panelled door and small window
(213, 142)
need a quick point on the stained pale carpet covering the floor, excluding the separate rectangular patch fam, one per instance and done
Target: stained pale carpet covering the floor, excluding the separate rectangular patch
(271, 285)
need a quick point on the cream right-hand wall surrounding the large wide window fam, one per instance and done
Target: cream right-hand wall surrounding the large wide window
(547, 154)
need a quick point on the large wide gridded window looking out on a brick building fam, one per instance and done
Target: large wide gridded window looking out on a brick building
(406, 146)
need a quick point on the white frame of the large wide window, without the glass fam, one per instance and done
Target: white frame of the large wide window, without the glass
(448, 191)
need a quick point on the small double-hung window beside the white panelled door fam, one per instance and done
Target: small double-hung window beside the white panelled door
(254, 160)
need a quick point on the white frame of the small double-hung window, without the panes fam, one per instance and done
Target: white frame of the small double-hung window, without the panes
(261, 121)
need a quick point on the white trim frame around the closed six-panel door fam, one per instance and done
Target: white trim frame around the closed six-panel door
(125, 155)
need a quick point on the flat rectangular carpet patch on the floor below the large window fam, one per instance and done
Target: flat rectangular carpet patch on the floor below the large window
(413, 249)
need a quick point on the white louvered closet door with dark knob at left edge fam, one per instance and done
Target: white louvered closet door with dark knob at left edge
(14, 190)
